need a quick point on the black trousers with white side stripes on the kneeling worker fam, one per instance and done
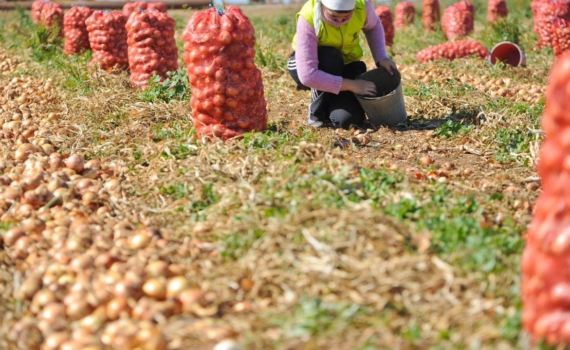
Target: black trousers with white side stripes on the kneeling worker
(343, 110)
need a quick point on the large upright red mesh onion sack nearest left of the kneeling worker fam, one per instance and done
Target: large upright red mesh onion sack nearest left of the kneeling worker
(227, 89)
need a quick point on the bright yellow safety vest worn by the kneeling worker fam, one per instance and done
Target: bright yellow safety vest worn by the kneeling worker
(346, 38)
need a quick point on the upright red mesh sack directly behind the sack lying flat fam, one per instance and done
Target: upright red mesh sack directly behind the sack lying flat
(458, 20)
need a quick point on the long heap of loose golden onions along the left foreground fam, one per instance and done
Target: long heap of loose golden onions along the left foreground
(88, 280)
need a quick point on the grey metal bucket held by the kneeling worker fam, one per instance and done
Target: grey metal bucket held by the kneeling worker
(389, 108)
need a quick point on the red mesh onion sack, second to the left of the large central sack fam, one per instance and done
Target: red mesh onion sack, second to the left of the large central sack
(108, 39)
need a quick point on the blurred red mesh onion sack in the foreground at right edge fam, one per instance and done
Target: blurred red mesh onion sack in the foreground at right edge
(545, 275)
